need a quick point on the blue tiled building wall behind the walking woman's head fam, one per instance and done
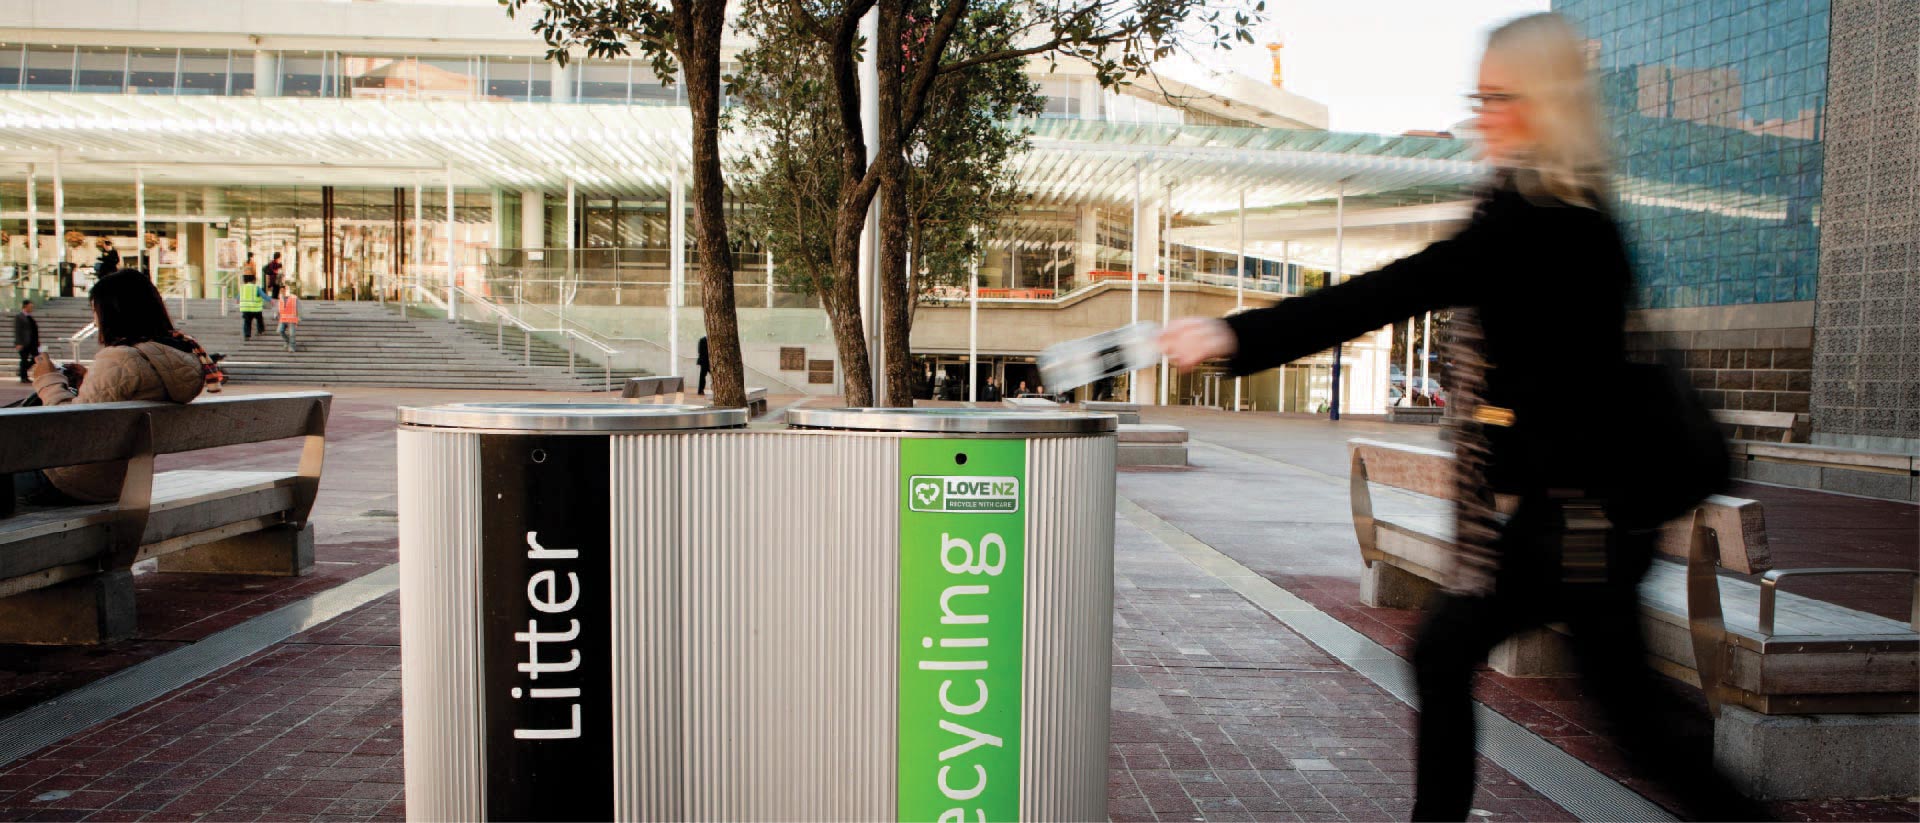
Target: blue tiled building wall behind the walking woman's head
(1717, 112)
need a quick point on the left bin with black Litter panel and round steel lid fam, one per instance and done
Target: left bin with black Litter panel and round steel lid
(539, 603)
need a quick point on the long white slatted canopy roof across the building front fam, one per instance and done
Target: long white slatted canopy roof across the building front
(631, 151)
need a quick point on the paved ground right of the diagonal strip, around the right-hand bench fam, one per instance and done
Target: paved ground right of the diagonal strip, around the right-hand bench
(1276, 500)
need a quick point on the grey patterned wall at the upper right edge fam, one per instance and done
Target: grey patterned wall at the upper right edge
(1867, 350)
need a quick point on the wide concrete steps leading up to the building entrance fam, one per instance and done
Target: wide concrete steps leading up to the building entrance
(348, 344)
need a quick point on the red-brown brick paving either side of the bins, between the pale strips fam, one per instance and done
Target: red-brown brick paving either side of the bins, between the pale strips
(1220, 715)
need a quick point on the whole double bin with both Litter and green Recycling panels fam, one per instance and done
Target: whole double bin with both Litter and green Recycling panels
(656, 613)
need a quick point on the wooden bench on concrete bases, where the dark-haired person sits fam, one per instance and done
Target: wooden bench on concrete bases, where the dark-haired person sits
(66, 573)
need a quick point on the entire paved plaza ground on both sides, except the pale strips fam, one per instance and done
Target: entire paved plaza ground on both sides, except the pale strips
(1218, 711)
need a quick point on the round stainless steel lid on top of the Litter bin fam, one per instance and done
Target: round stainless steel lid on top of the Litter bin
(571, 417)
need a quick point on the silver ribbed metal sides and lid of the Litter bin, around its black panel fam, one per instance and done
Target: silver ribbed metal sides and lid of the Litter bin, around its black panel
(444, 557)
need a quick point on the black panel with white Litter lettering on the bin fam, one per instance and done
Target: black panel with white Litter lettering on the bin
(546, 598)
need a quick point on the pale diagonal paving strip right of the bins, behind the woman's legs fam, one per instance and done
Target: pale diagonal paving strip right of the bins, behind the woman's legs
(1547, 768)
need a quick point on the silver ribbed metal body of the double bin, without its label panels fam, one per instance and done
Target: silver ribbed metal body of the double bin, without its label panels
(754, 624)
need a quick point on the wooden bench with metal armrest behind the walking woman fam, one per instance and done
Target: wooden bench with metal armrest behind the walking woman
(1812, 699)
